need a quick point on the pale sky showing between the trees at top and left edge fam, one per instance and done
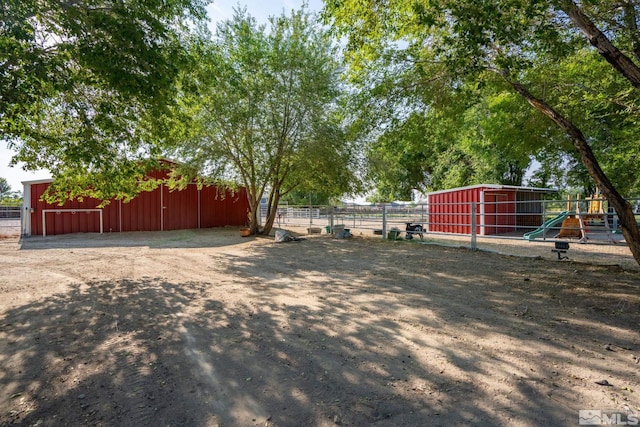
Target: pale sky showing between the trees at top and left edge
(219, 10)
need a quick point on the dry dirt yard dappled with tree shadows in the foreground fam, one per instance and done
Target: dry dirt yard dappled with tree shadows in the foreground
(206, 328)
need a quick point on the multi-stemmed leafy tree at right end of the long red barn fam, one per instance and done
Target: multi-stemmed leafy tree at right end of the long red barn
(265, 112)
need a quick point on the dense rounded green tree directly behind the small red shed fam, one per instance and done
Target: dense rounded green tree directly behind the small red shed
(453, 145)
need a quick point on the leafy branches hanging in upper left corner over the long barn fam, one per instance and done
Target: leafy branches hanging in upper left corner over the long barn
(85, 84)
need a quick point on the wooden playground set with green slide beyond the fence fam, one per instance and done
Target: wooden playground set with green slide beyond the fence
(576, 224)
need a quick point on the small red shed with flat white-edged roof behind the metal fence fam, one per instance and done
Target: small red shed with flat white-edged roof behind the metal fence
(500, 209)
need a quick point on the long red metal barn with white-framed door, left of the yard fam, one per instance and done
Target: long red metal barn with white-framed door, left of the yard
(157, 210)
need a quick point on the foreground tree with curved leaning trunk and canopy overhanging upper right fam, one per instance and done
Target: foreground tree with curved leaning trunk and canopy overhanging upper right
(476, 41)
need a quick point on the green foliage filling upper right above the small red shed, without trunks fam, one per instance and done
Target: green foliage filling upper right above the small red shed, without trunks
(444, 61)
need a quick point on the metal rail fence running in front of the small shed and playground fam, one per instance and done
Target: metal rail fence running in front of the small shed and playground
(527, 228)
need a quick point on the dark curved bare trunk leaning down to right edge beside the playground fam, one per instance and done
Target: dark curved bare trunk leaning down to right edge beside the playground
(626, 218)
